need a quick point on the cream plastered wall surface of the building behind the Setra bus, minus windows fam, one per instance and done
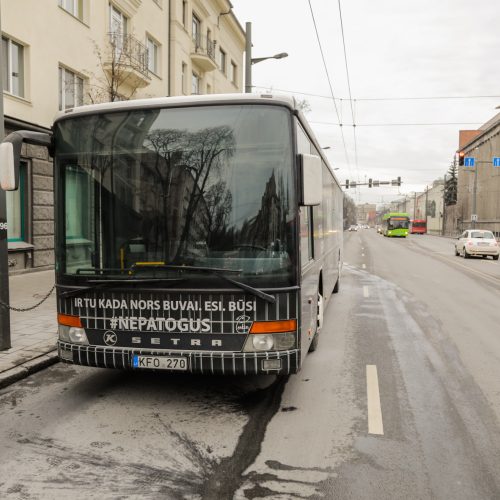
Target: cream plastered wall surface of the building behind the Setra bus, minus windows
(80, 43)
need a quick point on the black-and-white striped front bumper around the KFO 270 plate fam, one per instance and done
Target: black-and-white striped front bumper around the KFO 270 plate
(224, 363)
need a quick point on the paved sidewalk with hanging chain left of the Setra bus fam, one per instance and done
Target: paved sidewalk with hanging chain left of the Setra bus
(33, 333)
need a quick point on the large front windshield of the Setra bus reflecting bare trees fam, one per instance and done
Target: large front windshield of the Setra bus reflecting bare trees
(145, 191)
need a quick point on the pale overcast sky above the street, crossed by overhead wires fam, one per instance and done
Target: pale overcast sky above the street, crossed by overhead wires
(395, 49)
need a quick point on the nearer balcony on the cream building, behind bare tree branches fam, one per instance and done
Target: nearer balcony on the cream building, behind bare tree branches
(127, 60)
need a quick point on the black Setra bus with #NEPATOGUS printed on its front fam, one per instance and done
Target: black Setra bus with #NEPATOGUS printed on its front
(199, 234)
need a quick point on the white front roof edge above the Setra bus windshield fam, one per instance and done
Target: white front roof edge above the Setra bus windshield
(192, 100)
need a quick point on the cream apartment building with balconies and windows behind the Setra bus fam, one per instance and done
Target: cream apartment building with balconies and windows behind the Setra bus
(57, 54)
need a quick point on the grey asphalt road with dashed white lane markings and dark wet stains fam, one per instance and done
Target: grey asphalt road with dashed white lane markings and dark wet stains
(401, 400)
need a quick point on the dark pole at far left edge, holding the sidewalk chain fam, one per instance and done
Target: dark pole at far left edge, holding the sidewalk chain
(4, 255)
